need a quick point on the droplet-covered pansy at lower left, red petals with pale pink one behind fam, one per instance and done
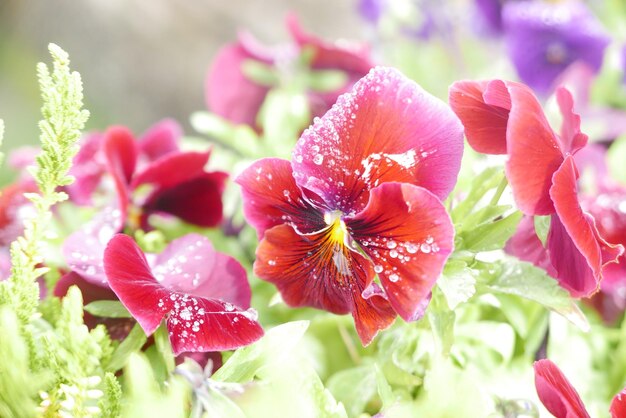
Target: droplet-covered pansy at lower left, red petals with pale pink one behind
(204, 296)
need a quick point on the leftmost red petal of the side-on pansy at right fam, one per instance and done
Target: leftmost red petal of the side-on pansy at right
(485, 124)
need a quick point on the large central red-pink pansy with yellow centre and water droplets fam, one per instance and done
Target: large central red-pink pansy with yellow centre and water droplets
(361, 197)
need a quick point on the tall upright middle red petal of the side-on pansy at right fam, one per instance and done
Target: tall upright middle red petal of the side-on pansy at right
(534, 152)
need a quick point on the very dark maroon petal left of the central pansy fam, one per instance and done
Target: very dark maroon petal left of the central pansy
(197, 201)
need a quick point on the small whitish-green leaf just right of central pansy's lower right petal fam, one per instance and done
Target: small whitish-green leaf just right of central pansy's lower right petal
(457, 283)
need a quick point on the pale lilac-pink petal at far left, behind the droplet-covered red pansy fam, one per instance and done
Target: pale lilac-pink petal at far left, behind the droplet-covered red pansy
(83, 250)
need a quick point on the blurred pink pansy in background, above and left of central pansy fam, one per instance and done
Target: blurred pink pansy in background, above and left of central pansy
(232, 95)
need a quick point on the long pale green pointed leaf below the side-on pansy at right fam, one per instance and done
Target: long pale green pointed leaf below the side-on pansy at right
(523, 279)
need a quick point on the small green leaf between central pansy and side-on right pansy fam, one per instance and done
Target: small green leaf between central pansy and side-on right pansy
(491, 236)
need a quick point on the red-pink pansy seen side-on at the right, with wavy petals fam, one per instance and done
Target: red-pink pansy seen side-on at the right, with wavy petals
(505, 117)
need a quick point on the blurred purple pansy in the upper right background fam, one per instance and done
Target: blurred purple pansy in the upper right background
(544, 38)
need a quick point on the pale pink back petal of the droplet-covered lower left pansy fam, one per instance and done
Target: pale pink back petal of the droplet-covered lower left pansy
(190, 264)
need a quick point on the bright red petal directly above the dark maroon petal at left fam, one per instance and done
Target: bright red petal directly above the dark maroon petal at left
(172, 169)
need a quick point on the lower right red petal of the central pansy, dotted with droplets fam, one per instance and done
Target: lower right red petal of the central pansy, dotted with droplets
(408, 235)
